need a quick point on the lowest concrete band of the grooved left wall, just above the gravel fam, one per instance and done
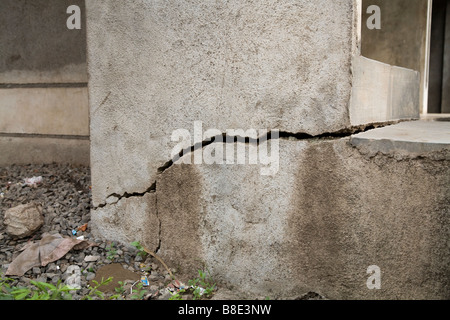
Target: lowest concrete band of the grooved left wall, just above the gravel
(25, 150)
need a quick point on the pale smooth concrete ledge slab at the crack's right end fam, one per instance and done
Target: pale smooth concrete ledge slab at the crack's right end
(414, 138)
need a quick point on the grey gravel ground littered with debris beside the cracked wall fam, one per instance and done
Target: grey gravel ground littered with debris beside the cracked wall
(65, 197)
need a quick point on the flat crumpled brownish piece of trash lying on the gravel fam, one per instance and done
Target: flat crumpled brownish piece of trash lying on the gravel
(50, 248)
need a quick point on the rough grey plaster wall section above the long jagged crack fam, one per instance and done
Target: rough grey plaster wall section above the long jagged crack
(158, 66)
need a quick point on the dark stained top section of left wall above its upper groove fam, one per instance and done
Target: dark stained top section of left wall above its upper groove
(37, 46)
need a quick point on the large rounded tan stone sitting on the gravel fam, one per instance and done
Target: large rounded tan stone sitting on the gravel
(23, 220)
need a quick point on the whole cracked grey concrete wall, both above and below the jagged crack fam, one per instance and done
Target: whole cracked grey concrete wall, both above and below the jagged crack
(327, 214)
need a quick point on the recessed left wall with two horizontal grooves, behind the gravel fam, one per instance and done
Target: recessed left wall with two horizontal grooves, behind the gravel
(43, 84)
